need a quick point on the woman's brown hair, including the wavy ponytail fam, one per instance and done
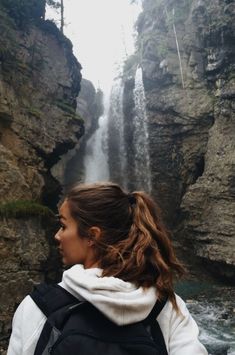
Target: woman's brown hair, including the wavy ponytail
(134, 244)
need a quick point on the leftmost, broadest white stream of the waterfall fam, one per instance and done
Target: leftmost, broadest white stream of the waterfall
(96, 152)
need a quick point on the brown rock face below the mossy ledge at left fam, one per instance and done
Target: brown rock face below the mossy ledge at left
(23, 248)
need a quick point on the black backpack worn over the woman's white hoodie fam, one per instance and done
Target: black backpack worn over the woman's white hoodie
(78, 328)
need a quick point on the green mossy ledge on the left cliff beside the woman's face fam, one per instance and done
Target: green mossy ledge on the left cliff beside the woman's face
(24, 208)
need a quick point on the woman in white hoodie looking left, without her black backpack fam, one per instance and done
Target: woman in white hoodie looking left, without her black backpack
(122, 261)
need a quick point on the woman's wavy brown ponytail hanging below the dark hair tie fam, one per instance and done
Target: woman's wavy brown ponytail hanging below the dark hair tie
(154, 248)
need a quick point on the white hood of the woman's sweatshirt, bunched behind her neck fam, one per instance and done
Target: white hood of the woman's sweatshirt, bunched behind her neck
(122, 302)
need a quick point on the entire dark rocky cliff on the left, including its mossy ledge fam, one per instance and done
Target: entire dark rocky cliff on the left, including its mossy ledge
(39, 84)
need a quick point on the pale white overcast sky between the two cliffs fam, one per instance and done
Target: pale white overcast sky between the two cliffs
(102, 34)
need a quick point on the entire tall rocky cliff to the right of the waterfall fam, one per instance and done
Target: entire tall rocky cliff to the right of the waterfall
(187, 56)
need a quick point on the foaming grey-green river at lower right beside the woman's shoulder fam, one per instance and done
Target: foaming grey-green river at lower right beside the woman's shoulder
(213, 308)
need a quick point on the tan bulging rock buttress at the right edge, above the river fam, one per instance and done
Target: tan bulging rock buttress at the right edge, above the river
(208, 206)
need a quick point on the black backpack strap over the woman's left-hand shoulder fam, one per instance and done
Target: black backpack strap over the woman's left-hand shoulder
(50, 298)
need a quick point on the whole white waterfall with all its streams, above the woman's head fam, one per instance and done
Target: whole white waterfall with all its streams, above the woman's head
(110, 147)
